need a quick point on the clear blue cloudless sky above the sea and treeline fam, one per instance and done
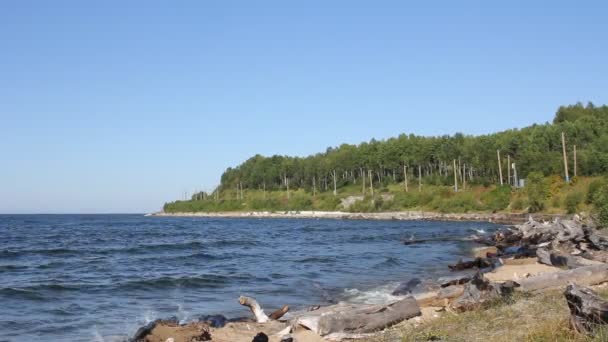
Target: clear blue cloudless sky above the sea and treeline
(119, 106)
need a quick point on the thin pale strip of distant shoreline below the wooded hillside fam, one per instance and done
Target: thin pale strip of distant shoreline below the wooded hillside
(499, 218)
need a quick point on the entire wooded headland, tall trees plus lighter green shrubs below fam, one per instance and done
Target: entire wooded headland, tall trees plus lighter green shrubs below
(457, 173)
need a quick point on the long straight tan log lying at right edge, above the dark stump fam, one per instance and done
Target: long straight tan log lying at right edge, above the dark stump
(587, 275)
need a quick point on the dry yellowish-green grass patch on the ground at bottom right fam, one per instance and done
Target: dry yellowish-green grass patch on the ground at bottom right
(529, 318)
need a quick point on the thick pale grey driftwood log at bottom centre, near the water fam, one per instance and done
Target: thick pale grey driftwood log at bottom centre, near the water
(355, 319)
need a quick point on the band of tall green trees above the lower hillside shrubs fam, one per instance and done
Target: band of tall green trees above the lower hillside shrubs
(535, 148)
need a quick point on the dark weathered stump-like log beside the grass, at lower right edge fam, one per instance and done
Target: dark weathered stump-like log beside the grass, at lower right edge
(587, 309)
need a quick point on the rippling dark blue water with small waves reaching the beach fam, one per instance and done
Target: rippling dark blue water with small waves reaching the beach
(99, 277)
